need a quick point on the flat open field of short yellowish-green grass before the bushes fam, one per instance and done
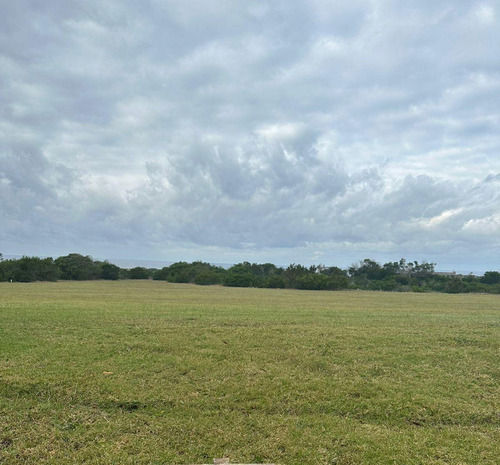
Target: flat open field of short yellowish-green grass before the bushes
(148, 372)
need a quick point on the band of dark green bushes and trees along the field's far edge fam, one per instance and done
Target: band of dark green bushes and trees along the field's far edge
(368, 274)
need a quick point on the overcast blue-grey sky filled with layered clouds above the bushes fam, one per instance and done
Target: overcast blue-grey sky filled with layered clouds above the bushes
(297, 131)
